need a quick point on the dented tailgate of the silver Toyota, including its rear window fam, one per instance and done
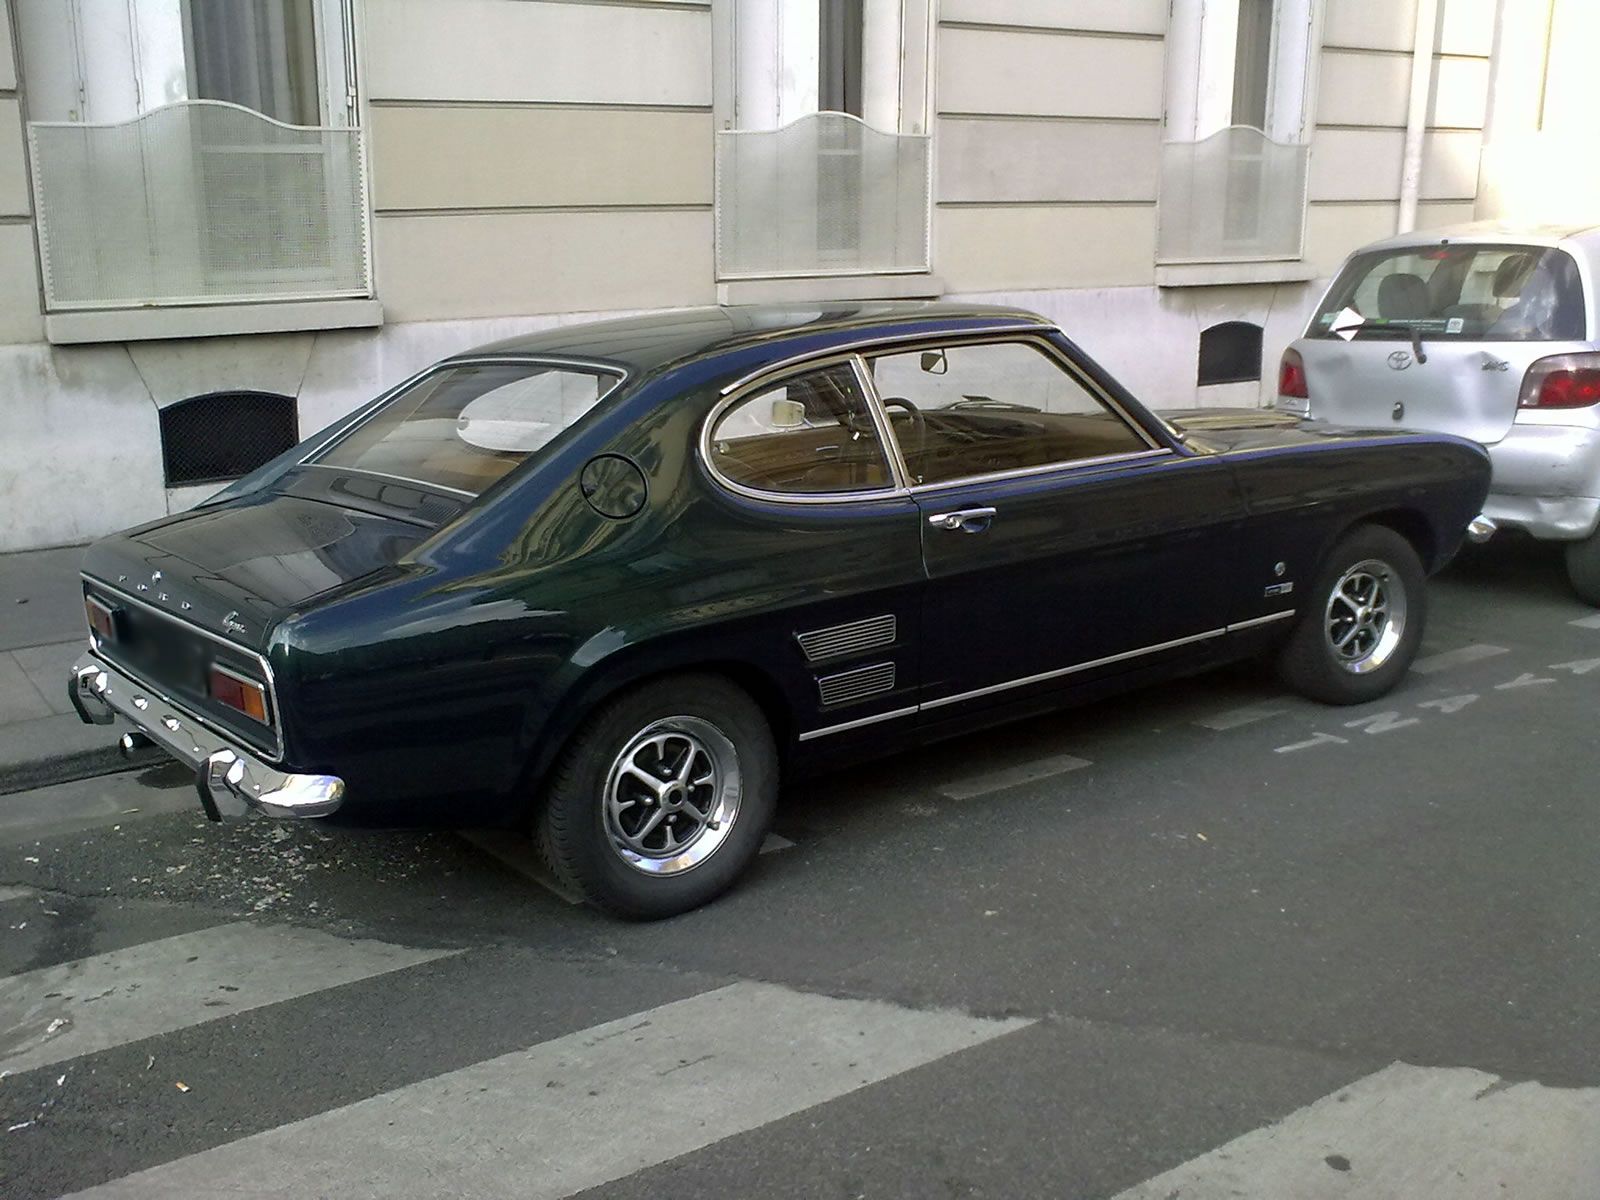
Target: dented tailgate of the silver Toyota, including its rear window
(1441, 337)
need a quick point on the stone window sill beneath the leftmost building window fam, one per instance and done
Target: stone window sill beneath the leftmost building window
(210, 321)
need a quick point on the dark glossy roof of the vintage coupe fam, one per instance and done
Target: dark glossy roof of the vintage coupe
(644, 345)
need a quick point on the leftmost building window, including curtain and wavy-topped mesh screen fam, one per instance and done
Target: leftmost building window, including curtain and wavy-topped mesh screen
(193, 153)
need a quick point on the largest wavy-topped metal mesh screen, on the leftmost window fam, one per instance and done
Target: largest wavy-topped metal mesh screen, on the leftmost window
(199, 202)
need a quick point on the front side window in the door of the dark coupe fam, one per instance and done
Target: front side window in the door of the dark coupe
(978, 410)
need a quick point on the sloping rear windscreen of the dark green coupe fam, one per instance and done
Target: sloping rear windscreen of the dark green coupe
(463, 428)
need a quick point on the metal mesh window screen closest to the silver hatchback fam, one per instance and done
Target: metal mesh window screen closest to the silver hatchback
(1234, 196)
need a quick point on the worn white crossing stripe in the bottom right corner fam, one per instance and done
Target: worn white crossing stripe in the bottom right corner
(1409, 1132)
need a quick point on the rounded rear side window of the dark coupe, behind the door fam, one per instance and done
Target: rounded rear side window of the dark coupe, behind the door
(807, 436)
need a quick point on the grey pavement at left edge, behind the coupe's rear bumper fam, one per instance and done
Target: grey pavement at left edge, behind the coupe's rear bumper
(42, 631)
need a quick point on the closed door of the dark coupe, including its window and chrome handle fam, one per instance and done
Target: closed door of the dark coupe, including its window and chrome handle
(1060, 538)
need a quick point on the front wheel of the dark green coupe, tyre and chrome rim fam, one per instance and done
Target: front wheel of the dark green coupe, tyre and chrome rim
(1310, 662)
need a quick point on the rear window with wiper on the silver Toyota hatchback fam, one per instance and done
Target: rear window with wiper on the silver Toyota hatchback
(1503, 294)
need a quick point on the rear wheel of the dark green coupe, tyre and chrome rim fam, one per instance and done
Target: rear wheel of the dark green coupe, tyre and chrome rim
(586, 842)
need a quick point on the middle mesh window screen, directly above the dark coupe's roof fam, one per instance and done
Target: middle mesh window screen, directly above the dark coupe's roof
(825, 196)
